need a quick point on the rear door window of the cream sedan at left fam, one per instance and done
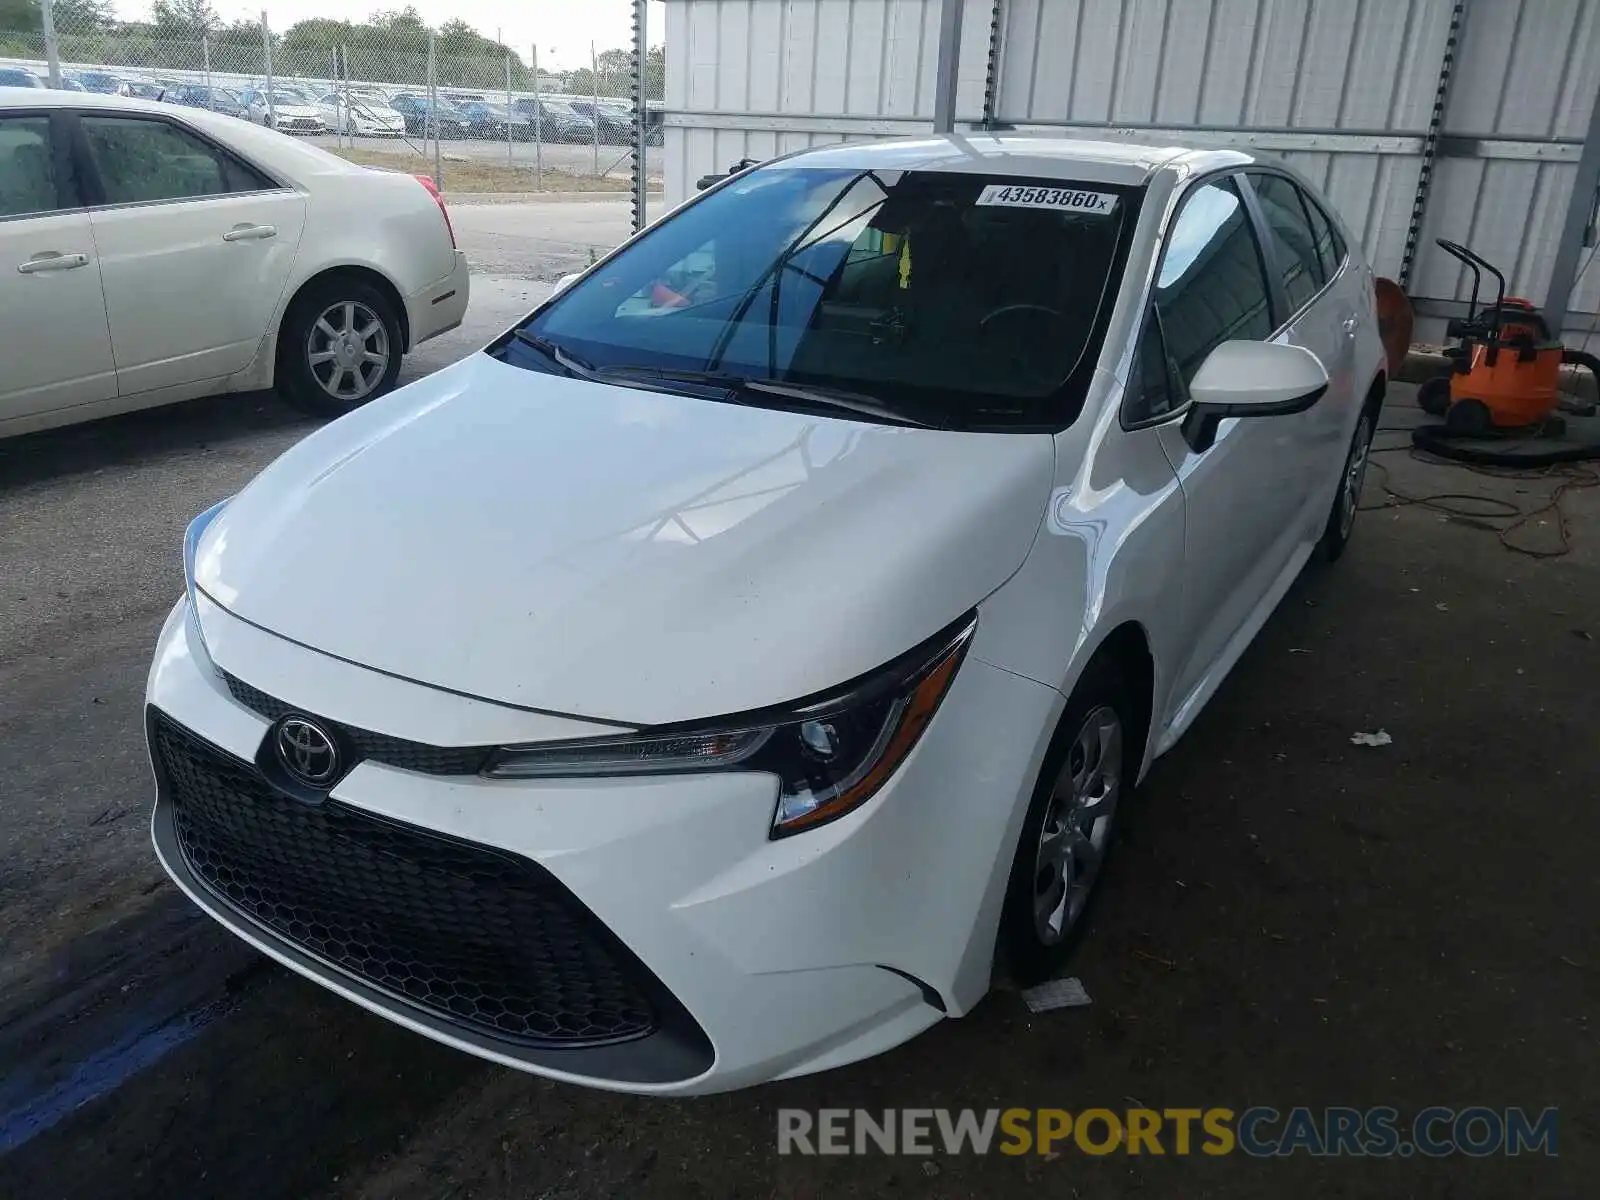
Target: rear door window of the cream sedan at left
(142, 161)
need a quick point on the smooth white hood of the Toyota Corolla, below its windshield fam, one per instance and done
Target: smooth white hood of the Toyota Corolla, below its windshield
(615, 553)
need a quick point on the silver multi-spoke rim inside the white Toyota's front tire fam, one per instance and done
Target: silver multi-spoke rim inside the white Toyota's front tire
(1076, 834)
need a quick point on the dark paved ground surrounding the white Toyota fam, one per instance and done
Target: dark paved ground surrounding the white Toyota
(1290, 919)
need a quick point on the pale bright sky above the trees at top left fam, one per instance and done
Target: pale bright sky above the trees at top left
(564, 28)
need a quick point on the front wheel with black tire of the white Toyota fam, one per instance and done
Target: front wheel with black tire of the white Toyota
(1044, 916)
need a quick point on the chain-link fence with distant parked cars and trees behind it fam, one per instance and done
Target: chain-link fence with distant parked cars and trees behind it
(391, 90)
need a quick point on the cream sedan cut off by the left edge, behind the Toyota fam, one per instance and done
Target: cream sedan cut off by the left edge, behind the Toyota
(193, 254)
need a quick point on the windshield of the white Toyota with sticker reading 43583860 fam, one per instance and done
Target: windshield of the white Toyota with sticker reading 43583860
(951, 300)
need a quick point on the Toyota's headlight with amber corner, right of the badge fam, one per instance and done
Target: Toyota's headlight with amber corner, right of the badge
(831, 754)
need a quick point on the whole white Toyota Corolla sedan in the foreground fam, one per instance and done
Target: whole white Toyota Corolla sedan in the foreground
(716, 676)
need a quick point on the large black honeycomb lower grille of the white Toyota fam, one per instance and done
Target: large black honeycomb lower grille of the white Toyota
(478, 937)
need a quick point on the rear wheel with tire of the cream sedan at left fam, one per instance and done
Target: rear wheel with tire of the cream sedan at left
(316, 326)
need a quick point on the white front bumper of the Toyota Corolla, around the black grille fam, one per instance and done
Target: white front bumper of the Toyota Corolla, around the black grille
(761, 959)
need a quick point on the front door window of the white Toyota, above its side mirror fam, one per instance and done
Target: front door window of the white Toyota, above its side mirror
(1212, 287)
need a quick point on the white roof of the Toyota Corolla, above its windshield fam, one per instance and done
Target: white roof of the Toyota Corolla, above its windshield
(1063, 158)
